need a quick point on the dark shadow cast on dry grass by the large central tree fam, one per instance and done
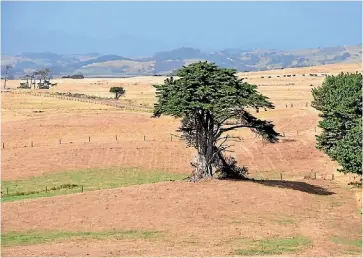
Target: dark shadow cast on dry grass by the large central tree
(293, 185)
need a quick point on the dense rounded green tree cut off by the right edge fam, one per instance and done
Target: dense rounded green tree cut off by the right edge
(339, 100)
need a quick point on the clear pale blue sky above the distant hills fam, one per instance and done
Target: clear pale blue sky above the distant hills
(145, 27)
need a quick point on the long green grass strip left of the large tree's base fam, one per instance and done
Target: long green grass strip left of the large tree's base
(73, 181)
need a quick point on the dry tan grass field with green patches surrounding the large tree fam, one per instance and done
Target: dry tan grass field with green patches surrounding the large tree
(84, 179)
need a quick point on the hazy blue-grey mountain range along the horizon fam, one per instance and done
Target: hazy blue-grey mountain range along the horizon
(97, 65)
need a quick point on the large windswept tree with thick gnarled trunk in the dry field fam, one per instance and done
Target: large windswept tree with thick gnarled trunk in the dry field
(212, 101)
